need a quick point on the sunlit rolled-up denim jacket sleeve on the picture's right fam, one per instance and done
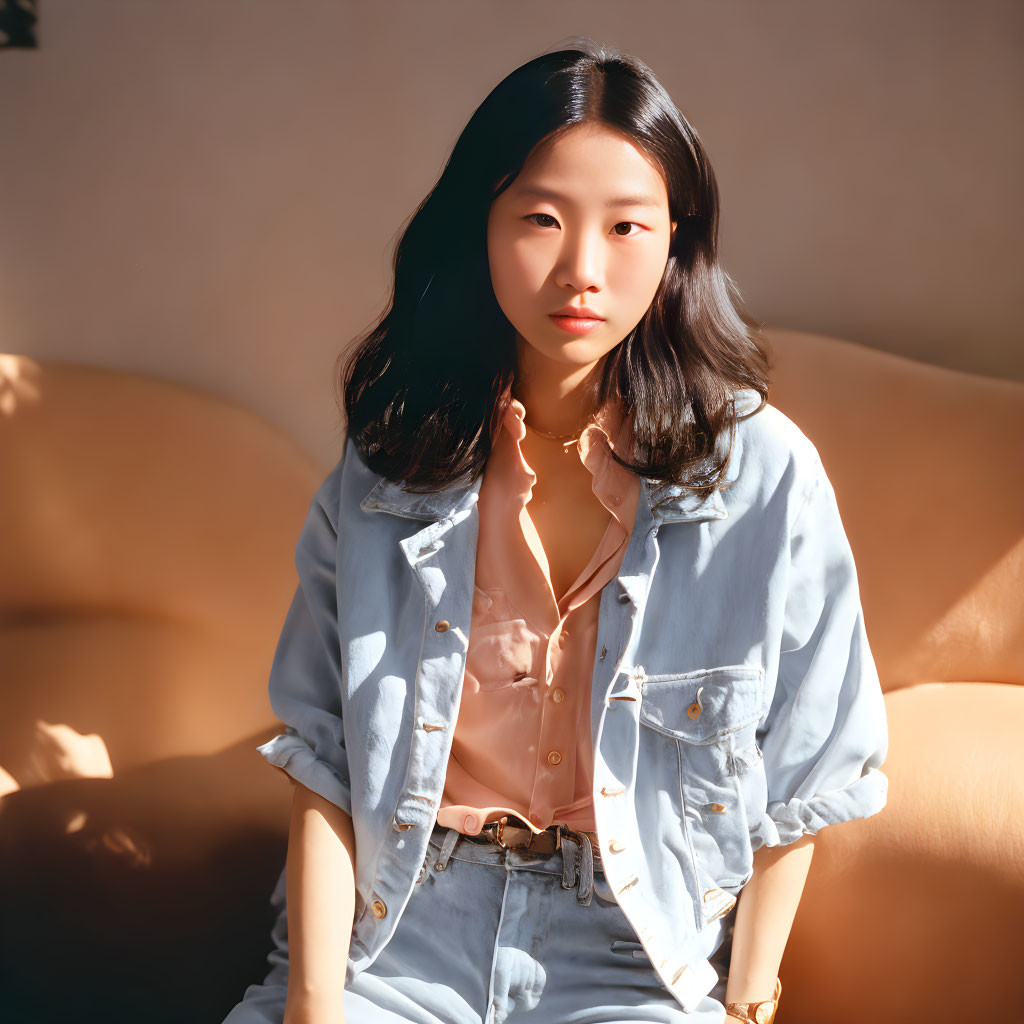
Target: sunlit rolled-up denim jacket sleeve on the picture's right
(826, 735)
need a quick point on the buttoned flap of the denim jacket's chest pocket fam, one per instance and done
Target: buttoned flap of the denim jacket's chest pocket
(731, 698)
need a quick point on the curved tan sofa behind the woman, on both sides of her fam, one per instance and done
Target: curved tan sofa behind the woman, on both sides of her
(147, 568)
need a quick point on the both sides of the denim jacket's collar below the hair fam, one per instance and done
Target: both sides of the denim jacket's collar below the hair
(668, 502)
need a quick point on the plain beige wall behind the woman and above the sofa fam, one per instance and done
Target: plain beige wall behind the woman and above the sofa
(207, 192)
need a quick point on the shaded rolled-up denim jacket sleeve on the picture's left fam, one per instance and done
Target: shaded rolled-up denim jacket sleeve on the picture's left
(306, 687)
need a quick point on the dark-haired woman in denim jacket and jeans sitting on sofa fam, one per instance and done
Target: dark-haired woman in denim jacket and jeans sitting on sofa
(578, 628)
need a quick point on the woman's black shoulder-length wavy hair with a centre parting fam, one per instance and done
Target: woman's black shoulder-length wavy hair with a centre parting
(425, 388)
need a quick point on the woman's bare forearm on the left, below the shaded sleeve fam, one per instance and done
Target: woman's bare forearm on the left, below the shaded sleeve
(321, 893)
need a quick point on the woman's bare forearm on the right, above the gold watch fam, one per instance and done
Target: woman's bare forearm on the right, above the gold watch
(764, 917)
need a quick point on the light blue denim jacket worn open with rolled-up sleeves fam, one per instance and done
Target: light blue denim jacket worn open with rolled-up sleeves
(736, 702)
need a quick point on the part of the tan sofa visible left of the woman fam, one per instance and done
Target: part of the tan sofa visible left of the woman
(146, 568)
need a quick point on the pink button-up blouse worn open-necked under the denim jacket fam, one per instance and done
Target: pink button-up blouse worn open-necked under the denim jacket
(523, 742)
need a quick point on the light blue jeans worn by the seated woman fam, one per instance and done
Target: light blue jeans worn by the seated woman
(491, 936)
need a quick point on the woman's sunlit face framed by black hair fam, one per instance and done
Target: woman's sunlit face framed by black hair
(585, 225)
